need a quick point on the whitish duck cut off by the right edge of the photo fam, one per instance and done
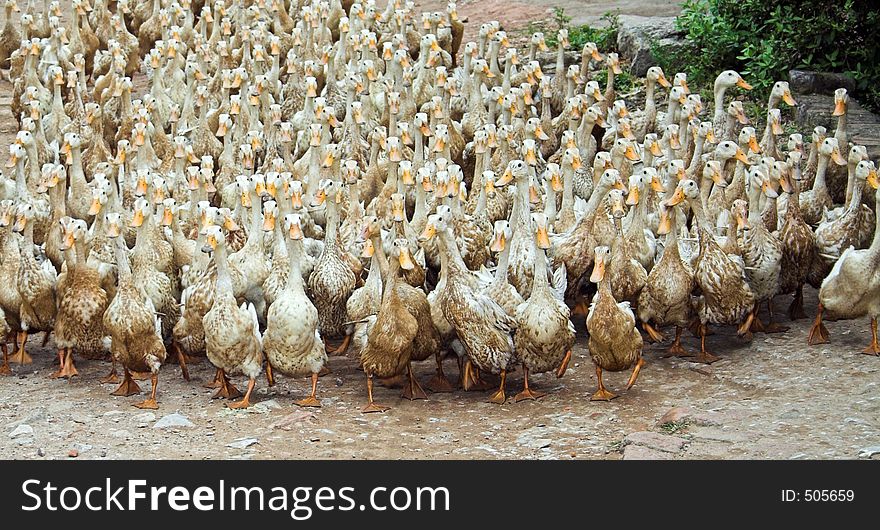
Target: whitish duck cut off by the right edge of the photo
(850, 289)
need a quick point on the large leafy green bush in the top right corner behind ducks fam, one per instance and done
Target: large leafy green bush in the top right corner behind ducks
(764, 40)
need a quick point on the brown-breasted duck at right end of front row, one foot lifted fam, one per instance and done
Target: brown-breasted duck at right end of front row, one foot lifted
(614, 344)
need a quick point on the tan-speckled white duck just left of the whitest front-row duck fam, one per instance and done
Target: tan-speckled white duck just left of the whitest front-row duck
(233, 342)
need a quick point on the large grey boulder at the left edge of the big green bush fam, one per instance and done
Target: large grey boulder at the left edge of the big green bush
(636, 35)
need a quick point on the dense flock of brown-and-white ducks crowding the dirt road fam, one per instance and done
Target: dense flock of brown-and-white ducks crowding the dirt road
(295, 171)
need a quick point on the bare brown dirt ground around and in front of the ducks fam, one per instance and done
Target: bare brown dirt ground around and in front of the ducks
(772, 398)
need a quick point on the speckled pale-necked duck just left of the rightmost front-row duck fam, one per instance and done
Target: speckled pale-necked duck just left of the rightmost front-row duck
(544, 333)
